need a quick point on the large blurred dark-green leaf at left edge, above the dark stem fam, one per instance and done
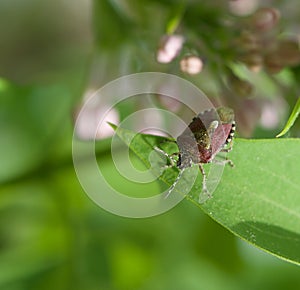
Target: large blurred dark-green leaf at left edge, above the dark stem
(30, 118)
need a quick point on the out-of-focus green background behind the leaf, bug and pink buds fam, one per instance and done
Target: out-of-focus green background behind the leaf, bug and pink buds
(52, 236)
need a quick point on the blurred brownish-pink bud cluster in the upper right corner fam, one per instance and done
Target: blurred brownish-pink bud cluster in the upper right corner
(259, 46)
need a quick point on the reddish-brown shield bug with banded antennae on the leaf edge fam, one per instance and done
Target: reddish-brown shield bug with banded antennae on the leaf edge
(209, 133)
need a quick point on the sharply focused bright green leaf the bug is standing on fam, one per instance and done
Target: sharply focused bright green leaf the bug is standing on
(257, 200)
